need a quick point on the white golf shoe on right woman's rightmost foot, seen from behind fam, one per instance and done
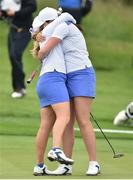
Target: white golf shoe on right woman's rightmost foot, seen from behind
(94, 169)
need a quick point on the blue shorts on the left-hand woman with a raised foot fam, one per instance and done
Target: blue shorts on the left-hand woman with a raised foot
(51, 88)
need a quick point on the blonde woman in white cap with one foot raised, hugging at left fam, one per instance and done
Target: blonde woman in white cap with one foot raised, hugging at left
(54, 99)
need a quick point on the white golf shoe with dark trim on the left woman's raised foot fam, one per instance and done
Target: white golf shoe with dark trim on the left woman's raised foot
(58, 155)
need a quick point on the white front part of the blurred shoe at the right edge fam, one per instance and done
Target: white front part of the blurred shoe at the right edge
(121, 117)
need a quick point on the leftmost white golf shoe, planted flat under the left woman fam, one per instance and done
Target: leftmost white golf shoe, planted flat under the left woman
(38, 171)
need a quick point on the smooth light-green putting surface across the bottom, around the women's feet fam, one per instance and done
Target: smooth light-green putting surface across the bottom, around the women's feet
(17, 157)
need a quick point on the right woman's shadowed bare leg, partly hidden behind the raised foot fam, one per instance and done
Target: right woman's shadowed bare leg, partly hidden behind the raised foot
(68, 136)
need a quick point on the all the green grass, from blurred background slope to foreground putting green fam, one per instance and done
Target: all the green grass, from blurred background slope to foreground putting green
(109, 36)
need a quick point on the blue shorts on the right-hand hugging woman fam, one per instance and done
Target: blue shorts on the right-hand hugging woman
(82, 83)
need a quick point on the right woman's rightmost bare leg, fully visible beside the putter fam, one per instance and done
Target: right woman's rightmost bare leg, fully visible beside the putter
(82, 110)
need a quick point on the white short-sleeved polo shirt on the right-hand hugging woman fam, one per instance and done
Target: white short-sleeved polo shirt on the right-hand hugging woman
(74, 47)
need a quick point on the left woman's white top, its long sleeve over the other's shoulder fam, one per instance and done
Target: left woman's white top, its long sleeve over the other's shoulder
(55, 59)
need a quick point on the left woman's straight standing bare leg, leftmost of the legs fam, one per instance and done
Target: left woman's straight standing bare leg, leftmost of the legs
(47, 121)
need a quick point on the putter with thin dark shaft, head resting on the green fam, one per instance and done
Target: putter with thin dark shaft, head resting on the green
(115, 155)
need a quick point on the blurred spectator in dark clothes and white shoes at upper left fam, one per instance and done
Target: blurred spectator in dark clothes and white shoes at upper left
(19, 15)
